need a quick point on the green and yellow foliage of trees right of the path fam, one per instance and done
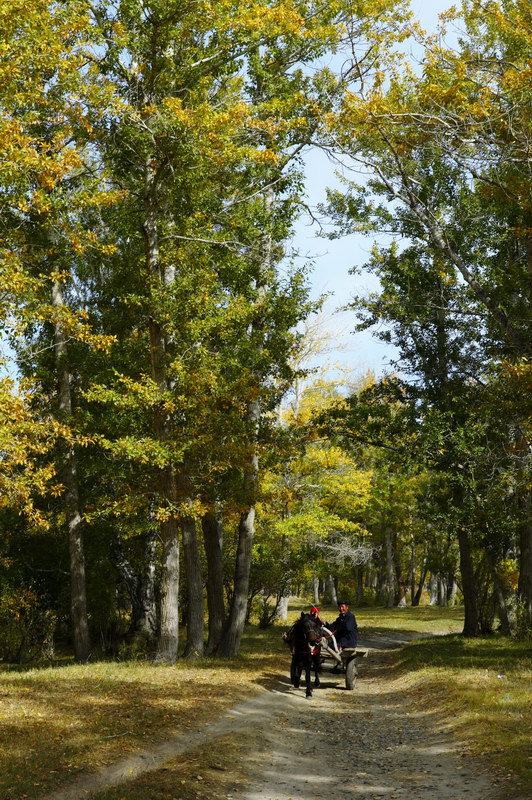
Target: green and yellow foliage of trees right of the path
(447, 180)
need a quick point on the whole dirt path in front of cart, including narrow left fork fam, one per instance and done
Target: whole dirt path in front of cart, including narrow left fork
(367, 744)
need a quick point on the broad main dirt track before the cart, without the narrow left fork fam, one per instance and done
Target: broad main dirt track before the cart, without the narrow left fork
(367, 744)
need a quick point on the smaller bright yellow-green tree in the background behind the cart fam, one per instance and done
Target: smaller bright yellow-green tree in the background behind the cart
(312, 499)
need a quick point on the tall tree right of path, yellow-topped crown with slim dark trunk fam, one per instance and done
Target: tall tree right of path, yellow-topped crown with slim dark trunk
(445, 146)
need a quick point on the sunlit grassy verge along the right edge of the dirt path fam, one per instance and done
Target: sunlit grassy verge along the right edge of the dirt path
(483, 687)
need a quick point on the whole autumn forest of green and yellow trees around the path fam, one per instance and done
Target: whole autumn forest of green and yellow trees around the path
(170, 465)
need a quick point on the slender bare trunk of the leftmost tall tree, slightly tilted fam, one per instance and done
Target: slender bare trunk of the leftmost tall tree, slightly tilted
(78, 590)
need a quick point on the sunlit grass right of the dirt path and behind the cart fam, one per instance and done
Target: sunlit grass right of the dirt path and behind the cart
(482, 685)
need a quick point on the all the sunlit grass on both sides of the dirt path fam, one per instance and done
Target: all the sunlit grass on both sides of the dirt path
(57, 722)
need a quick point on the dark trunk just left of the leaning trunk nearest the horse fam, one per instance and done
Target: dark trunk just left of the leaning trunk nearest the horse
(212, 539)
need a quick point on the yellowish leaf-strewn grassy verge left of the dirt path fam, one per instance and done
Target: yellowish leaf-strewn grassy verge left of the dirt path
(58, 722)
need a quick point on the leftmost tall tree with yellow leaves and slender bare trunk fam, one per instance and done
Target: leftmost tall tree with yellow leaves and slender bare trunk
(45, 128)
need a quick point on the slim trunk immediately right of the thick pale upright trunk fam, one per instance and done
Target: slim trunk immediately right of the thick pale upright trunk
(195, 644)
